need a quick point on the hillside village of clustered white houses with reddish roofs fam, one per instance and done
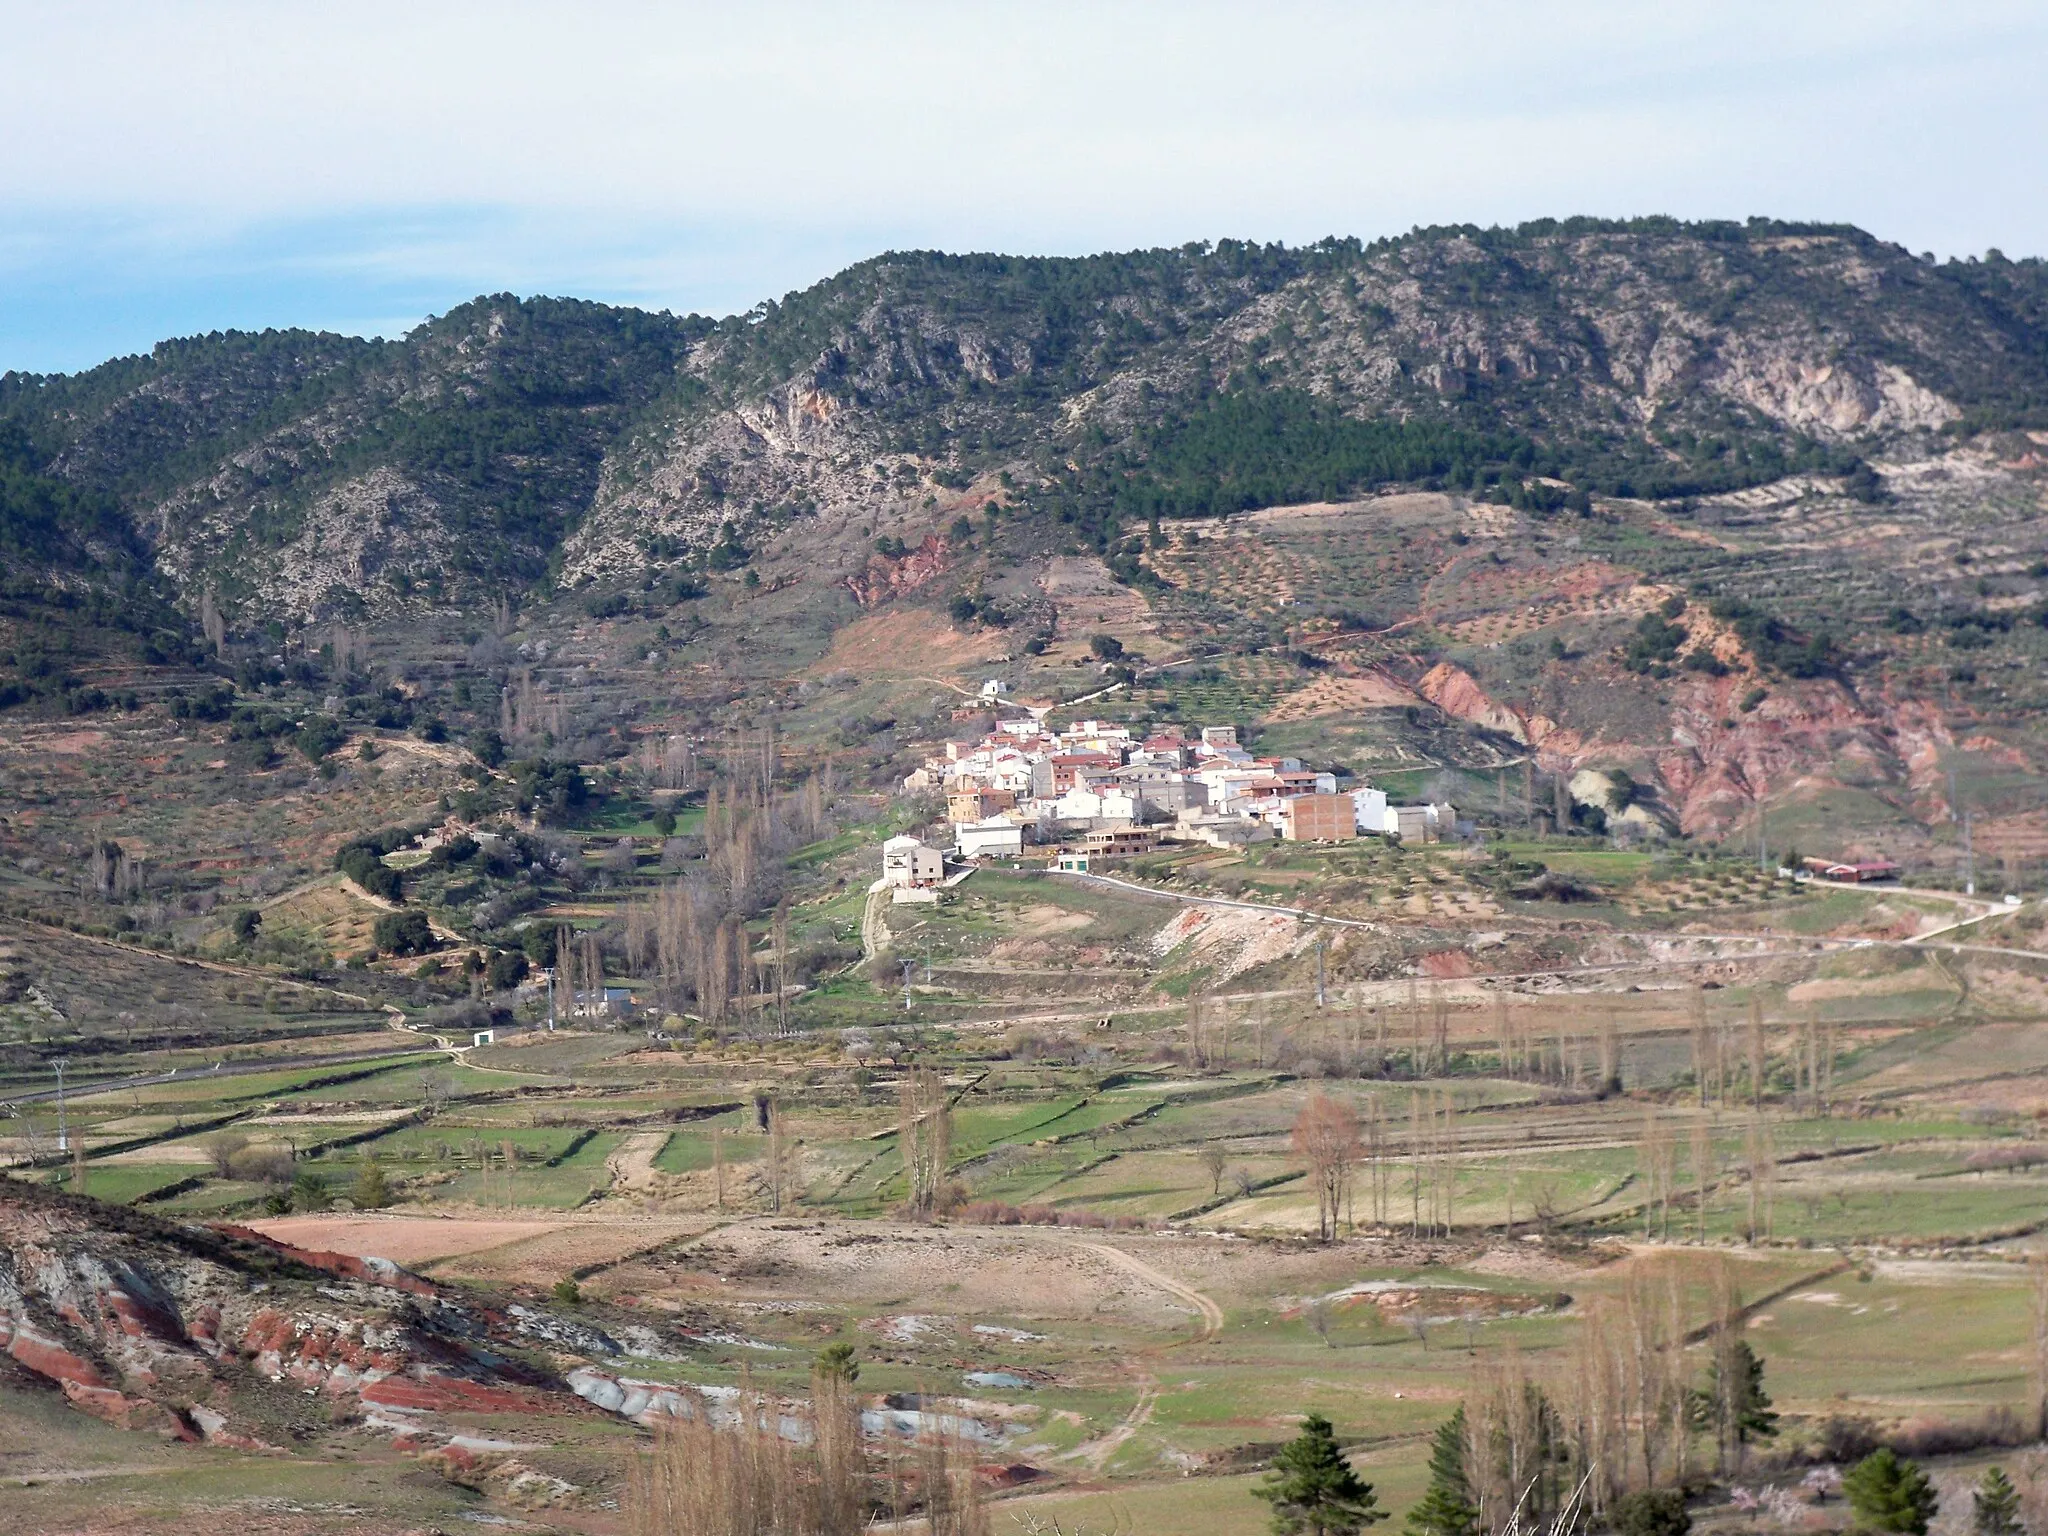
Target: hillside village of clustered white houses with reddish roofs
(1095, 792)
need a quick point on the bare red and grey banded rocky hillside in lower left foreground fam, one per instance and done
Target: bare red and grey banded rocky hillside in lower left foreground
(198, 1334)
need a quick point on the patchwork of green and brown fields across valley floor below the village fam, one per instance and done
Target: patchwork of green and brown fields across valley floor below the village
(1115, 1269)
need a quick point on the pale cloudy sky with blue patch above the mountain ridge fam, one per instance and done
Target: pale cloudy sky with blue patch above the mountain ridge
(173, 169)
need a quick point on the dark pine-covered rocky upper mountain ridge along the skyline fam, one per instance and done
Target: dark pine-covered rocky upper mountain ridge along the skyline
(314, 476)
